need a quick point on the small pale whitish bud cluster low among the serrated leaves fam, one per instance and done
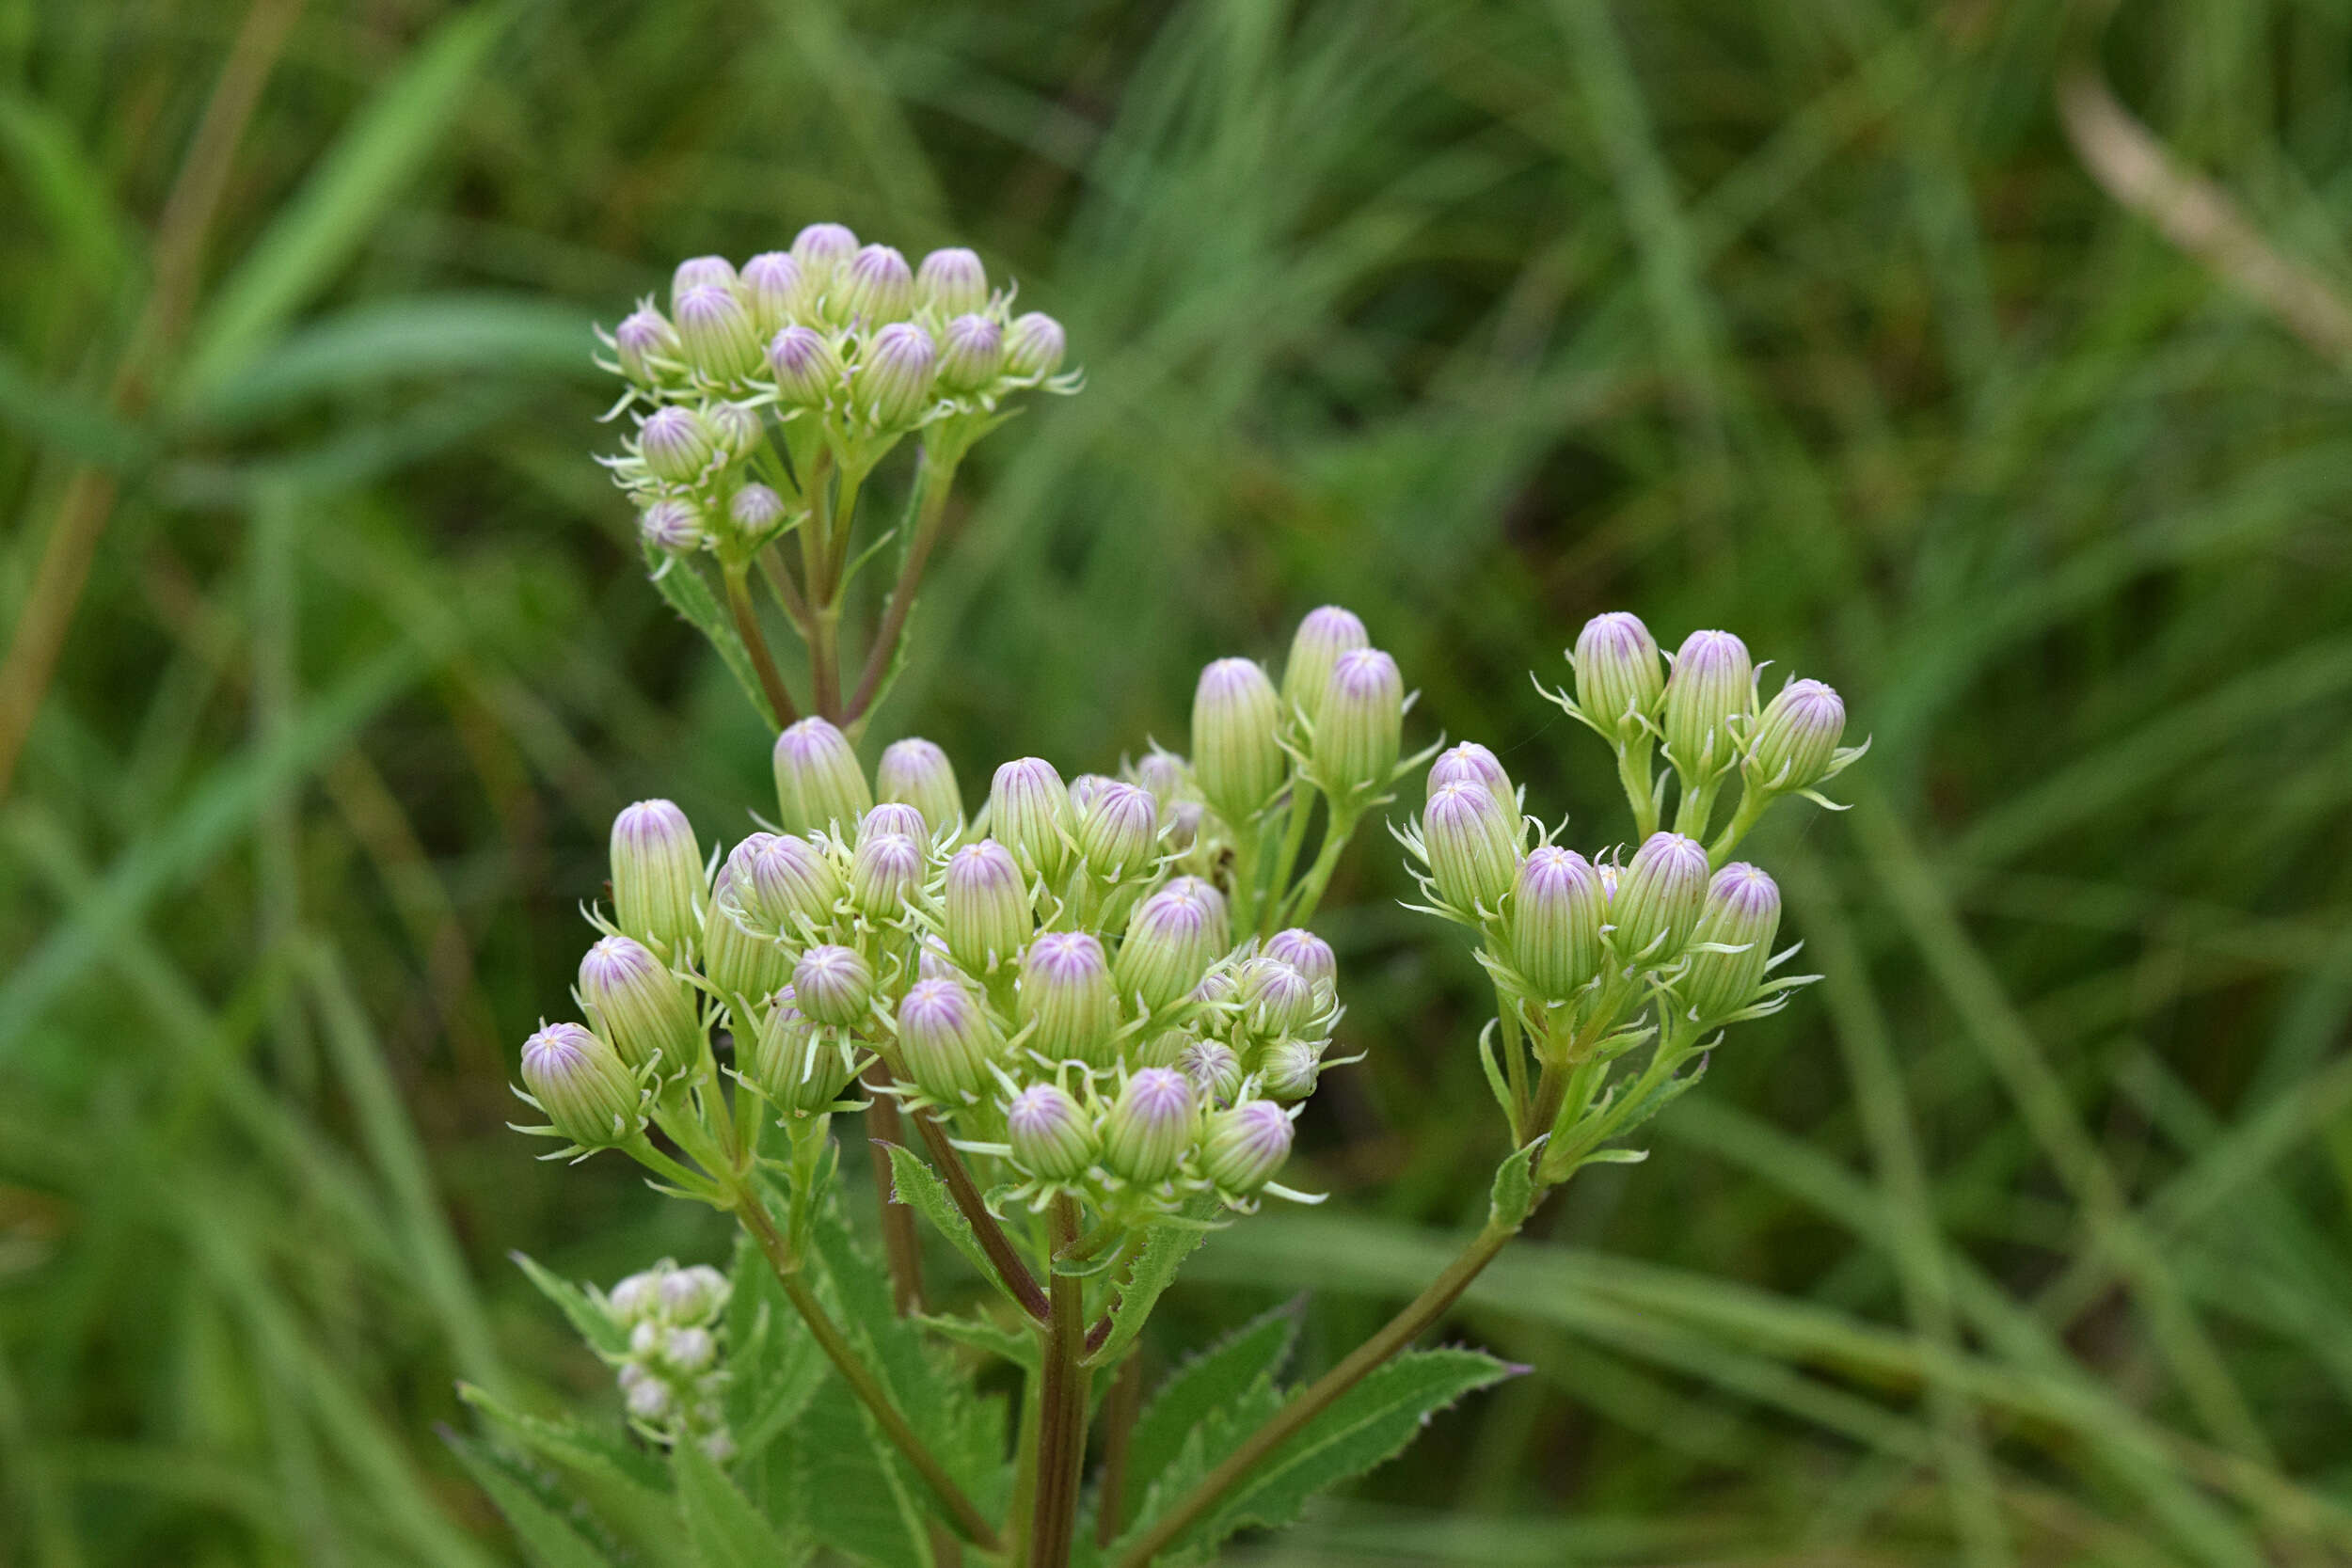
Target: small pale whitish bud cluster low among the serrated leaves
(674, 1376)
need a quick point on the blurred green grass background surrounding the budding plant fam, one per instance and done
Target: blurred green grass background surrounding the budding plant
(2019, 1240)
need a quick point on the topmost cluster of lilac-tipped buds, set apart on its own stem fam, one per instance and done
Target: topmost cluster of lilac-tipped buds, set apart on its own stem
(841, 340)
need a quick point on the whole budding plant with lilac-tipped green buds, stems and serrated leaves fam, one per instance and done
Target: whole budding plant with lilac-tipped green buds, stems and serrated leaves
(1078, 1017)
